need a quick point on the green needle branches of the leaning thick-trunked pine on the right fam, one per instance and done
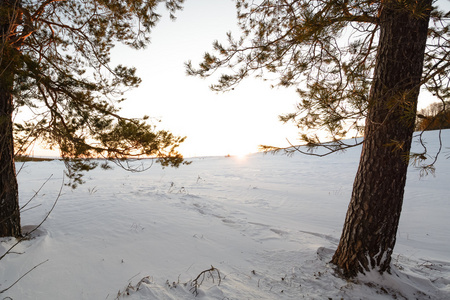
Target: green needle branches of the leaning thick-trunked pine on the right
(327, 51)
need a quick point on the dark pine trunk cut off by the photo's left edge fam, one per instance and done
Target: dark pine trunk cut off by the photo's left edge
(9, 200)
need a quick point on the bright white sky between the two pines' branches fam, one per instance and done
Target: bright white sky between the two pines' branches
(235, 122)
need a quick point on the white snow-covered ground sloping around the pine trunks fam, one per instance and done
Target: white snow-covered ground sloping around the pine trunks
(268, 224)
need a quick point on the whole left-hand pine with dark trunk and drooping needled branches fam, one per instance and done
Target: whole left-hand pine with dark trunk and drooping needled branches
(55, 63)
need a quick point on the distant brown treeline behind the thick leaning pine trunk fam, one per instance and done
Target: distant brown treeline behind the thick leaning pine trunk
(435, 116)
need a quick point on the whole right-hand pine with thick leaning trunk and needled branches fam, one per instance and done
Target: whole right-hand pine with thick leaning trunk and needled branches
(358, 67)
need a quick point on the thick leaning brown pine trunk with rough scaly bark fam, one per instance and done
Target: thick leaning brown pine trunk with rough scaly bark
(370, 228)
